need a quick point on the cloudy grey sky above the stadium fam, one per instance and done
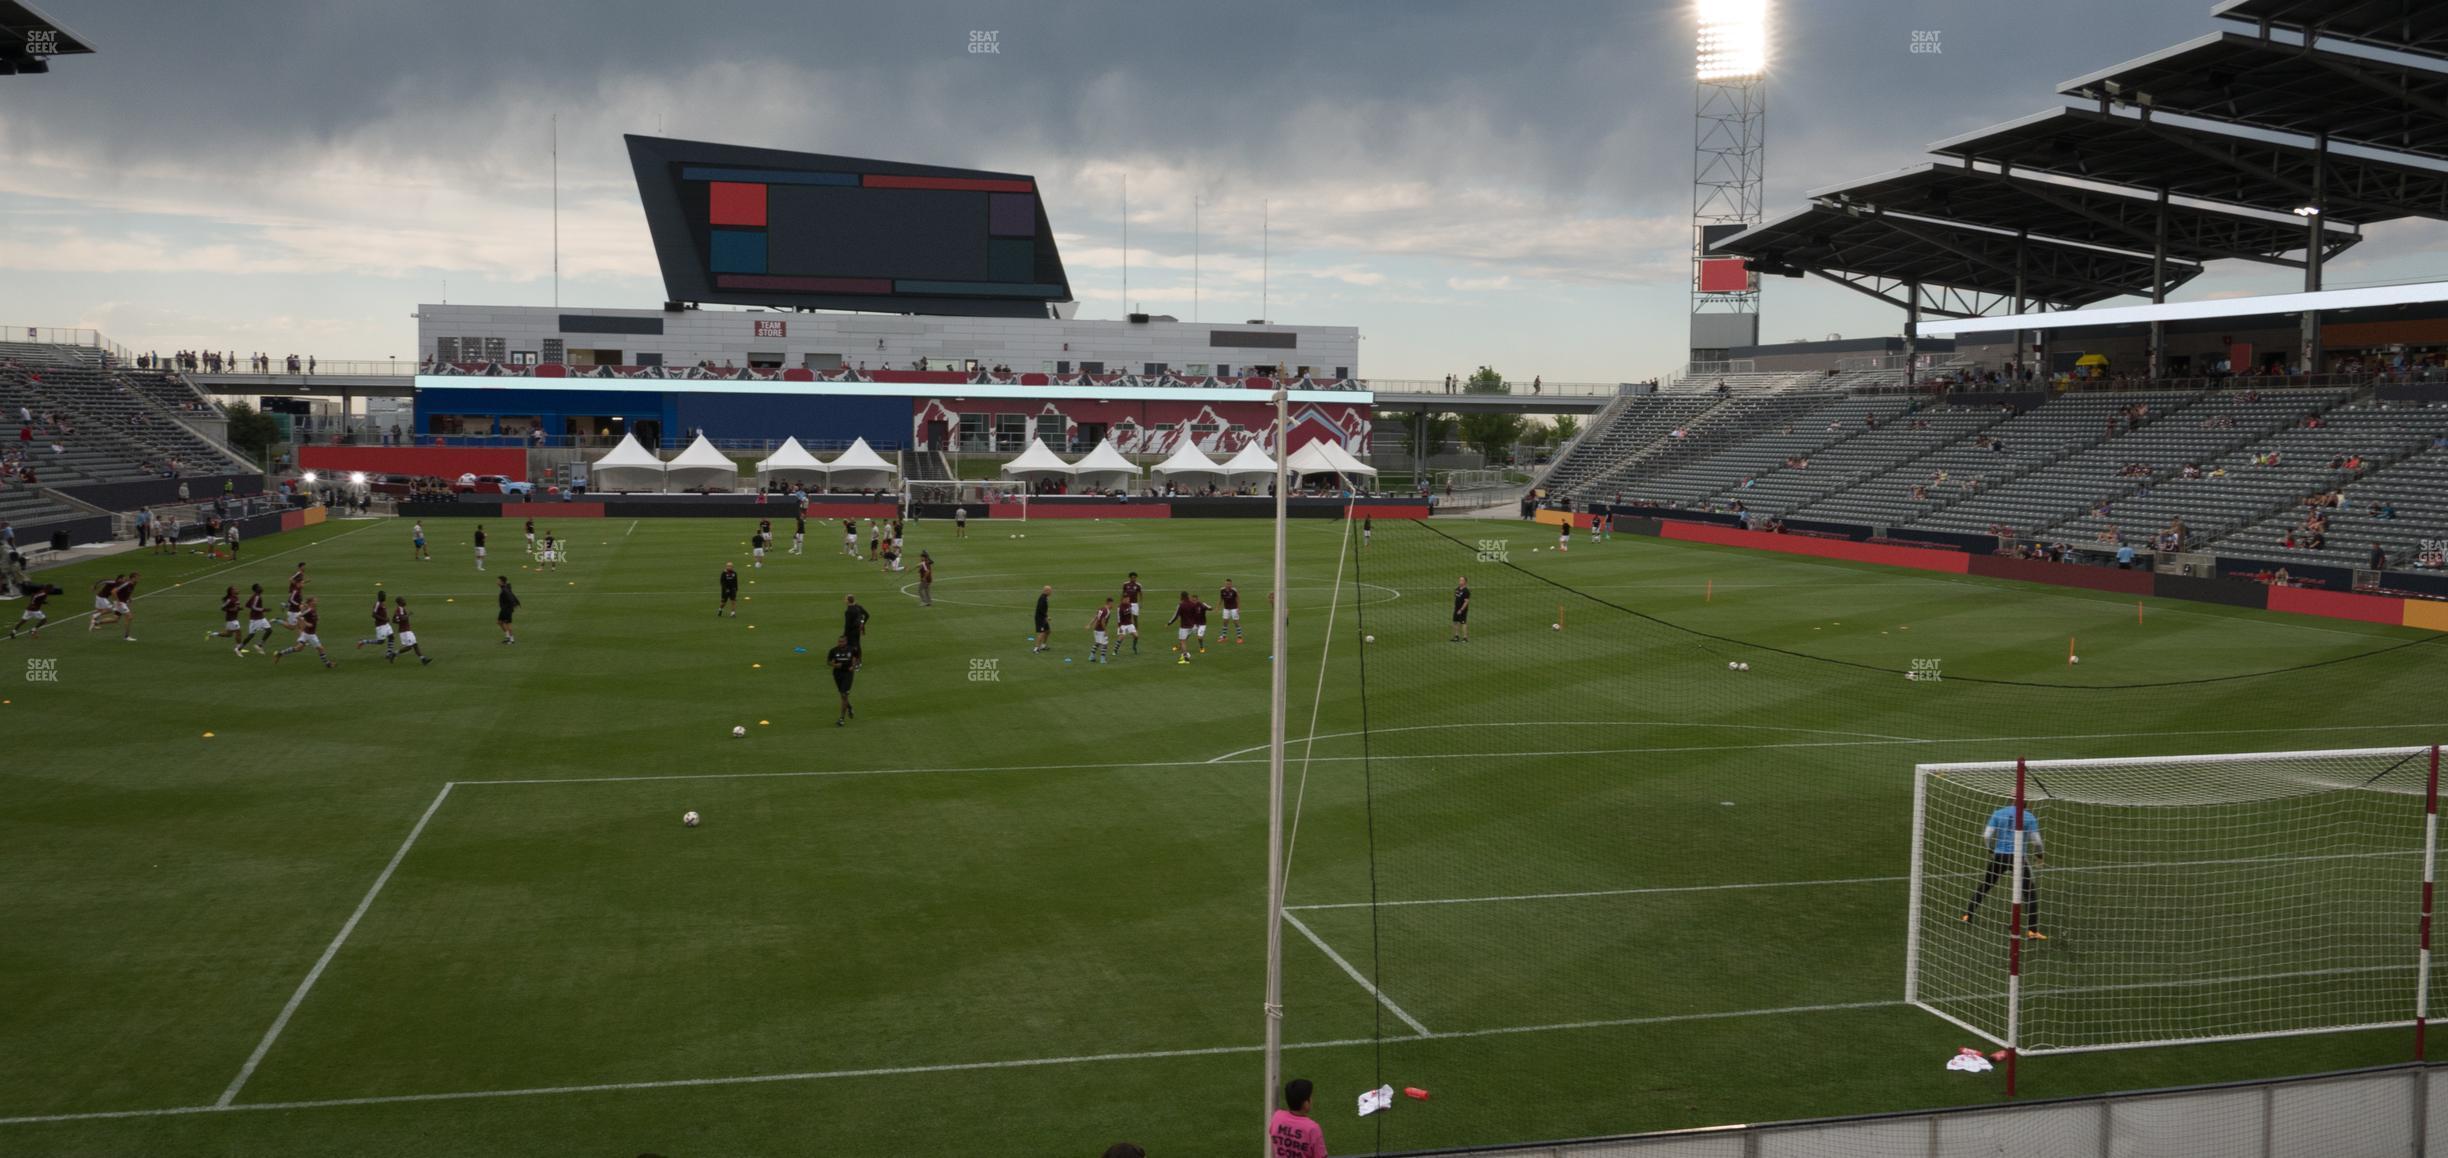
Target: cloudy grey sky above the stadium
(1499, 182)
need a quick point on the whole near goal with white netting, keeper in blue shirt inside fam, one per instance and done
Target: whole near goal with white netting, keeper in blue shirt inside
(2173, 900)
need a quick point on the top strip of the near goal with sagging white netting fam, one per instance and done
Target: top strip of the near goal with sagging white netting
(2231, 777)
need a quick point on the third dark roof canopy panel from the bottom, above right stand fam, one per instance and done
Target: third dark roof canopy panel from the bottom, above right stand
(2197, 163)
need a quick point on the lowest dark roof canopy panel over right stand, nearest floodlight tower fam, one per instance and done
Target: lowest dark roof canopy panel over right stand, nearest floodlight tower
(1862, 244)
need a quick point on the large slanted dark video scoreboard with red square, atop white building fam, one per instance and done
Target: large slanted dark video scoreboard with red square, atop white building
(794, 229)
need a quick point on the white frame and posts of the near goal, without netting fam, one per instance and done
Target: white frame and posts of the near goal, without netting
(2023, 772)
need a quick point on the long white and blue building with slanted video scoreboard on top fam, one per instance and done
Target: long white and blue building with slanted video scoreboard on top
(907, 305)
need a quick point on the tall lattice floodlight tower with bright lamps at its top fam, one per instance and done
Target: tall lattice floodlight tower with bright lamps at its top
(1730, 175)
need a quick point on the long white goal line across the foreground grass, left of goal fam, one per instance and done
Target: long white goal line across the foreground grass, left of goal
(941, 1069)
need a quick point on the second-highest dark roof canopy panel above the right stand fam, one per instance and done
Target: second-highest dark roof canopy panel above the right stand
(2288, 89)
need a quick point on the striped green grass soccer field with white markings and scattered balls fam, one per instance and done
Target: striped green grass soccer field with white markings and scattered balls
(1573, 878)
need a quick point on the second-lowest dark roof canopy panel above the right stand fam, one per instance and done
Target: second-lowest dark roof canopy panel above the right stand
(2082, 214)
